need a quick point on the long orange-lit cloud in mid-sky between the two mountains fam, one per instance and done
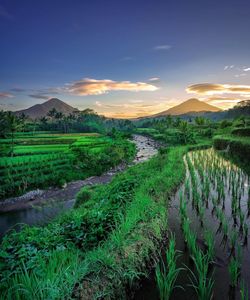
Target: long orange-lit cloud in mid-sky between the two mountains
(89, 86)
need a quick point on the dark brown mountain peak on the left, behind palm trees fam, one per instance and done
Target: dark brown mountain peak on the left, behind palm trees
(41, 110)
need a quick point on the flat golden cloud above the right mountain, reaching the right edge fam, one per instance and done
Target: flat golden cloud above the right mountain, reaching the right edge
(212, 89)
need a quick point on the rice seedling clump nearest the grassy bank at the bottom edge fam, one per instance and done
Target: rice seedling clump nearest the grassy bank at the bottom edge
(166, 276)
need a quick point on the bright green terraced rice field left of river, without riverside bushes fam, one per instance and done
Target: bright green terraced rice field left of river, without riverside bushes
(43, 159)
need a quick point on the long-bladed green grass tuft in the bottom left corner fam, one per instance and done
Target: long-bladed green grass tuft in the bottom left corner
(58, 273)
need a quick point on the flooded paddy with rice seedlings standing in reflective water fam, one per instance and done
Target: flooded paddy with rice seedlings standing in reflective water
(209, 218)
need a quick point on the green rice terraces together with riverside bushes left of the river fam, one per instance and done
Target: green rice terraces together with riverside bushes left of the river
(40, 160)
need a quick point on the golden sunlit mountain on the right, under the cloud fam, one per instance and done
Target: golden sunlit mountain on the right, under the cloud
(190, 106)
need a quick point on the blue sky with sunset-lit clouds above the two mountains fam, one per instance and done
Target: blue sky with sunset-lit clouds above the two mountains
(124, 58)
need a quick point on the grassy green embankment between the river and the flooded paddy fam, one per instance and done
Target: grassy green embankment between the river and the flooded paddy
(133, 239)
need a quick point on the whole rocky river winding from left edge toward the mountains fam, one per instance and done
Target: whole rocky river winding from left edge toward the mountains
(40, 206)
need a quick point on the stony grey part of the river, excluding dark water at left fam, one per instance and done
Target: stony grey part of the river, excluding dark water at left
(146, 148)
